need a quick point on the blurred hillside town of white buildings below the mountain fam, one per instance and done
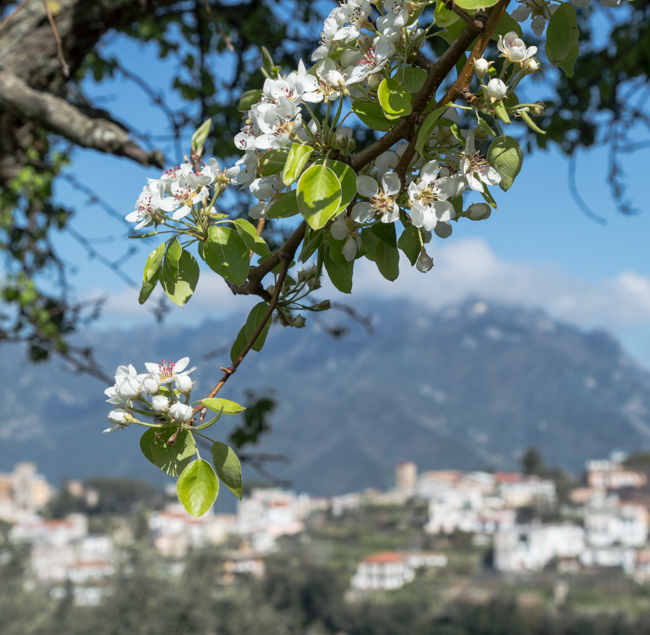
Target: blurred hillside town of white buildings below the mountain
(601, 523)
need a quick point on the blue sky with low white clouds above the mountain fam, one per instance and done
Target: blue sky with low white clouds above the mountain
(538, 250)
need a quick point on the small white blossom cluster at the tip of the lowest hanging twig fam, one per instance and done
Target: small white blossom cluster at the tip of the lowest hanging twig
(151, 394)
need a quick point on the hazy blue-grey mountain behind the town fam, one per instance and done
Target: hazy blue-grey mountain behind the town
(467, 387)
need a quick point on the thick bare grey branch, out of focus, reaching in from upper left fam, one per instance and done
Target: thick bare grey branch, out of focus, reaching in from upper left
(61, 117)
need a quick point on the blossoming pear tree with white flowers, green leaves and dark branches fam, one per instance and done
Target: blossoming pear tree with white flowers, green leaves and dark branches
(408, 167)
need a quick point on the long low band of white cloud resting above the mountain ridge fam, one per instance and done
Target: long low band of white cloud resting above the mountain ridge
(464, 269)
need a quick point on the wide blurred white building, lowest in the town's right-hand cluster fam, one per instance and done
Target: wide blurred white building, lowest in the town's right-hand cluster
(532, 547)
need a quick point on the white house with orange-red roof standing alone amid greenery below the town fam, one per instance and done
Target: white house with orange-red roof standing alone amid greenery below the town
(391, 570)
